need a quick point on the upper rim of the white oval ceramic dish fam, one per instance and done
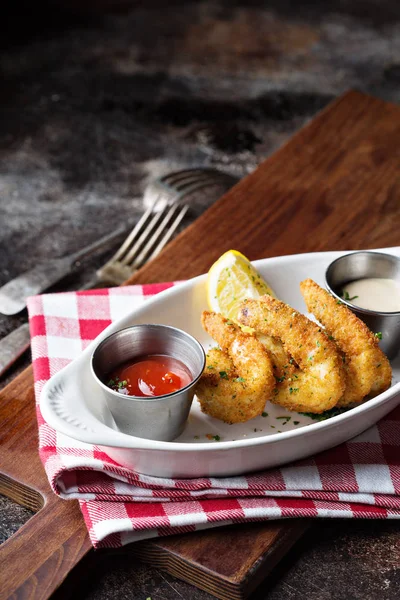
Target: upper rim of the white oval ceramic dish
(129, 442)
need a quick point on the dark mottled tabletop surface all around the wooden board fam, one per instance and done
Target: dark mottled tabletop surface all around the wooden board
(92, 105)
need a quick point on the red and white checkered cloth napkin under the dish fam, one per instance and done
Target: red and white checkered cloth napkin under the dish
(358, 479)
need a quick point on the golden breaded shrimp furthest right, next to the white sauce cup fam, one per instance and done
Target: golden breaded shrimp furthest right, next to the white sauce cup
(367, 369)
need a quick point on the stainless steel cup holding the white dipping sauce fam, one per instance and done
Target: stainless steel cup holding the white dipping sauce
(362, 265)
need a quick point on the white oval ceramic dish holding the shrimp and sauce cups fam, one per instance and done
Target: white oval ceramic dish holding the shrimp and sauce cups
(70, 401)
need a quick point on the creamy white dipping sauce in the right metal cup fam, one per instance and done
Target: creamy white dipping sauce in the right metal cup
(378, 294)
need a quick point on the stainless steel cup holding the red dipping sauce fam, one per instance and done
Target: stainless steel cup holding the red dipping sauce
(152, 417)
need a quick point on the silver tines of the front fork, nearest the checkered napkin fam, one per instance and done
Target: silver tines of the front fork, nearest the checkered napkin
(149, 236)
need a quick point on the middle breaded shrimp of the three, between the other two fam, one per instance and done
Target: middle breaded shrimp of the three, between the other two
(318, 382)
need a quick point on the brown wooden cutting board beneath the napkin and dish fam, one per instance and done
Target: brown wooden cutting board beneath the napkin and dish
(334, 186)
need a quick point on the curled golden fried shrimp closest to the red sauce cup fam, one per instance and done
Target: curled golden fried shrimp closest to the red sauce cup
(238, 378)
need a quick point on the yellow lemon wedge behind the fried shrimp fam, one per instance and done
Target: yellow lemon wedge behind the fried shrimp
(232, 279)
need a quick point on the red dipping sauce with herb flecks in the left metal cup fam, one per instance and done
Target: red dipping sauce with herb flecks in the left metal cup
(152, 375)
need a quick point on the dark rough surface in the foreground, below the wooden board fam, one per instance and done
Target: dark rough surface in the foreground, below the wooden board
(335, 560)
